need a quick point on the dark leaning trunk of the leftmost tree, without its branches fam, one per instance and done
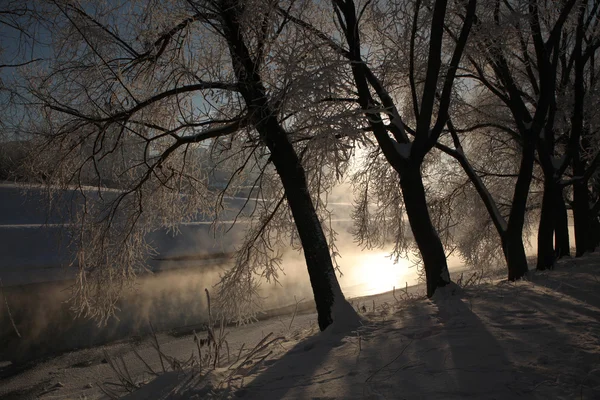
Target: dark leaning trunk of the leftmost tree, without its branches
(326, 289)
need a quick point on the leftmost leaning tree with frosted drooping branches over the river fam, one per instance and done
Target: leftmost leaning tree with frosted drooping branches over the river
(134, 90)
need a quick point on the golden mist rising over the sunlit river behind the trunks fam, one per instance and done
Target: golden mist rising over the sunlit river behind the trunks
(174, 295)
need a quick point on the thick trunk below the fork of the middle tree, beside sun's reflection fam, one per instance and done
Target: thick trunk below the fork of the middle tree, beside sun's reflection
(426, 237)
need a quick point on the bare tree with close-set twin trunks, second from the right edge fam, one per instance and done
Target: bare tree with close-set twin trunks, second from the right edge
(536, 75)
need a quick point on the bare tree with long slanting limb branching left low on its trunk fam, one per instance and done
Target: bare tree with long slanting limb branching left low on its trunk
(493, 67)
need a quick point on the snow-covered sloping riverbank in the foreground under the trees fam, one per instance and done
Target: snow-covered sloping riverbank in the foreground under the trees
(535, 339)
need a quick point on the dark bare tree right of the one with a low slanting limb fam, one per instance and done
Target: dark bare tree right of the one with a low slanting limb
(542, 69)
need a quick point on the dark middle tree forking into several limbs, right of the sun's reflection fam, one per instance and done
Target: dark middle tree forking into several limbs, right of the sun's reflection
(376, 102)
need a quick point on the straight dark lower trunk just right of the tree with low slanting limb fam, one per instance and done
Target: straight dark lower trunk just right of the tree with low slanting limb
(545, 240)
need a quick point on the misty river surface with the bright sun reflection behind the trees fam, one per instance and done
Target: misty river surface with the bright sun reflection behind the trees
(175, 297)
